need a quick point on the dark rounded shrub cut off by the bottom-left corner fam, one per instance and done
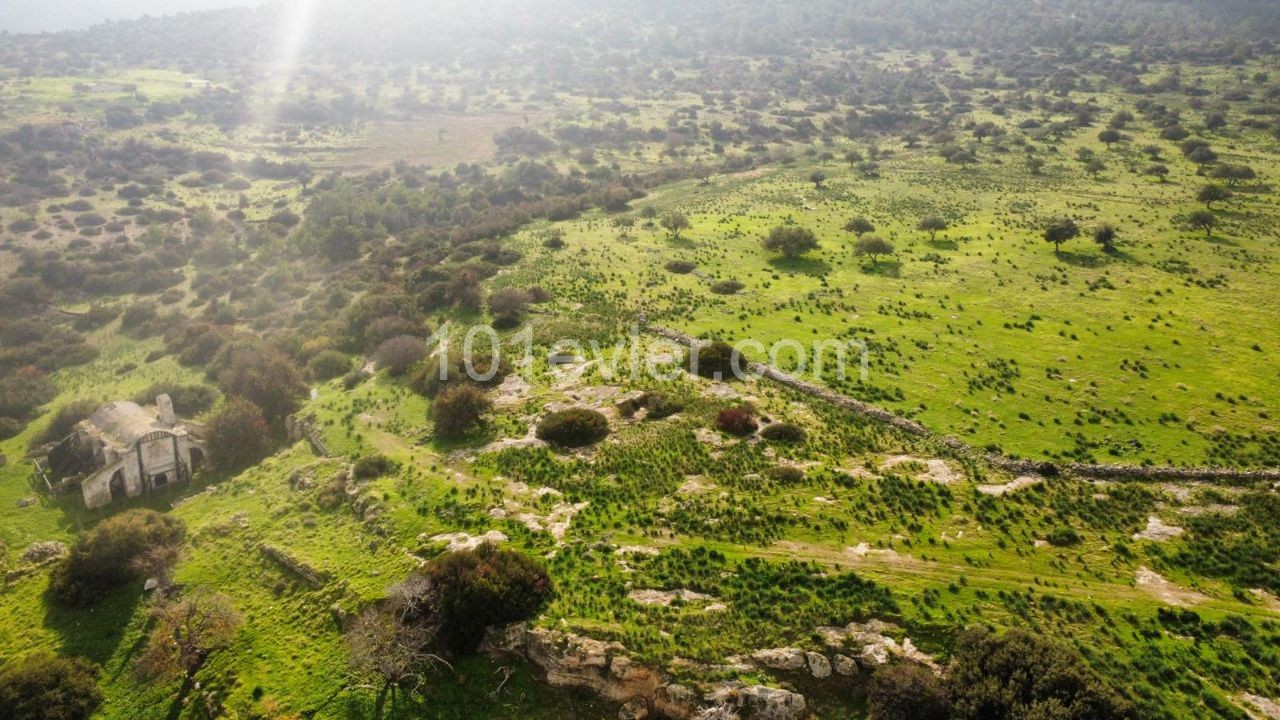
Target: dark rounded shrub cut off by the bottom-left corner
(47, 687)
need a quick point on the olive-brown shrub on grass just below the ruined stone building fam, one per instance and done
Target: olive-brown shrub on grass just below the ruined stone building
(113, 553)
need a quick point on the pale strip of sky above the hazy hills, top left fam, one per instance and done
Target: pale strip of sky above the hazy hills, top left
(56, 16)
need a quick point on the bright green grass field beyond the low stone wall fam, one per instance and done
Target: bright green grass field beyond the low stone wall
(1149, 356)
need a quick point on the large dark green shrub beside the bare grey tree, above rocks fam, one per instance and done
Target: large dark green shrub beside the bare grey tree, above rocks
(484, 587)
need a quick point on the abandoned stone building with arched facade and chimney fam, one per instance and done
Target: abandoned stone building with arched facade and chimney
(125, 450)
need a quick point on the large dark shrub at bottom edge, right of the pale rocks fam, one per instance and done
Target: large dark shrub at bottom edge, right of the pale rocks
(1025, 676)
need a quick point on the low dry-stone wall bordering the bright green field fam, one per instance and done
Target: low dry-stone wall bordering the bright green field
(1005, 463)
